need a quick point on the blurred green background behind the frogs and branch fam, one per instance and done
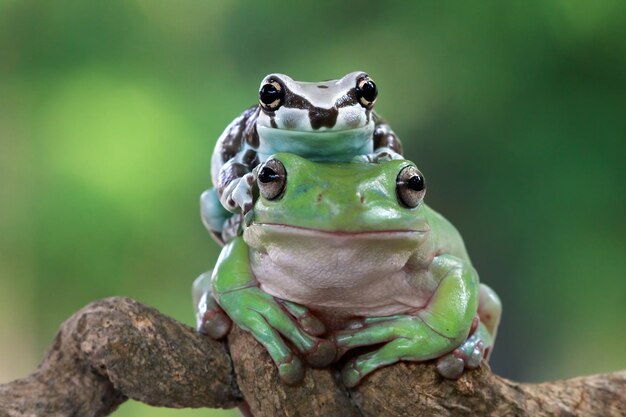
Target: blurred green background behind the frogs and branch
(515, 112)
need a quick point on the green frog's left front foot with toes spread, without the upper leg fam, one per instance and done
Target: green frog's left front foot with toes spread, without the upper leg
(270, 321)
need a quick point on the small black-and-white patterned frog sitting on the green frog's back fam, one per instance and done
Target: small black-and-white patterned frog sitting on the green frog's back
(321, 121)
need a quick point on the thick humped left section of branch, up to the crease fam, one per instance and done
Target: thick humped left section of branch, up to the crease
(117, 349)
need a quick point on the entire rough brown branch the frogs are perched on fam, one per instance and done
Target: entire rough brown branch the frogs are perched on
(117, 349)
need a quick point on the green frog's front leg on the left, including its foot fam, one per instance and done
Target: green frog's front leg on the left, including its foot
(237, 292)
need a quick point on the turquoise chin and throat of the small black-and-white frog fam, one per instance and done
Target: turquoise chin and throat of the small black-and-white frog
(328, 145)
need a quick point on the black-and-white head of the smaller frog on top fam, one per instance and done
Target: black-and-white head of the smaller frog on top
(329, 114)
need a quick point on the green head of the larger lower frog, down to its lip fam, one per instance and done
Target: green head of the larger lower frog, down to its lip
(346, 201)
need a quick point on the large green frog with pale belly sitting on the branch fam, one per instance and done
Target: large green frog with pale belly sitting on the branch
(337, 256)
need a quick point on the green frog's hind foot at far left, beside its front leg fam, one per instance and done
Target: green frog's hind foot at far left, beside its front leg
(211, 320)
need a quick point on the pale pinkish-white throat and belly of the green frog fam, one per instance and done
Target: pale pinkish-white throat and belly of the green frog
(342, 276)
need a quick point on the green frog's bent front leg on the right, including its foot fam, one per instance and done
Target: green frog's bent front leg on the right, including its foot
(442, 325)
